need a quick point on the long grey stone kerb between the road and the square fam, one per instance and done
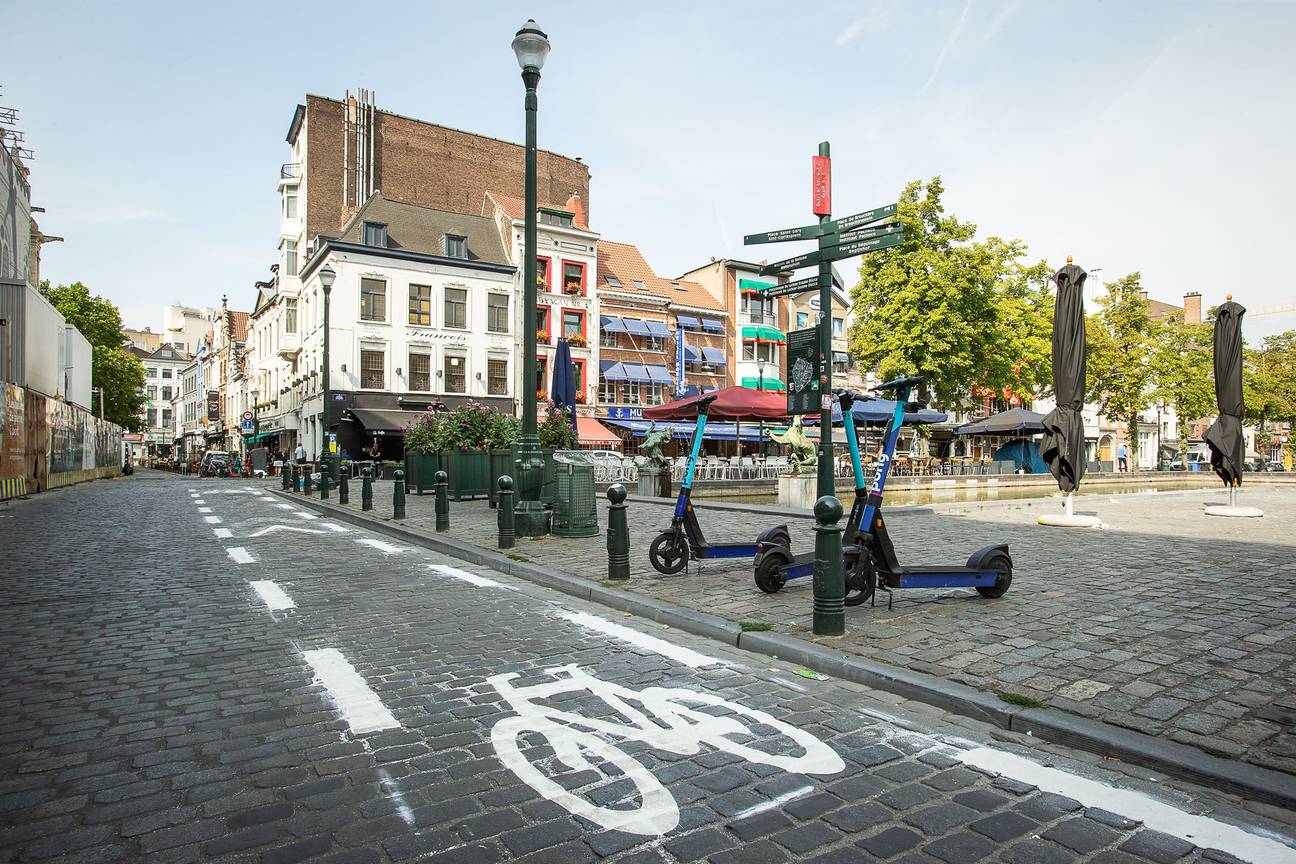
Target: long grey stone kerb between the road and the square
(1049, 725)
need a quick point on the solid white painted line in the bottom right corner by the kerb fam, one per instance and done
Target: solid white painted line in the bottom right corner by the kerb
(1201, 831)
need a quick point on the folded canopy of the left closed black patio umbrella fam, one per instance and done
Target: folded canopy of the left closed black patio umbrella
(1063, 445)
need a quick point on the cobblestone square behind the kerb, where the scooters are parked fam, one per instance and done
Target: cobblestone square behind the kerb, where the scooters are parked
(1166, 621)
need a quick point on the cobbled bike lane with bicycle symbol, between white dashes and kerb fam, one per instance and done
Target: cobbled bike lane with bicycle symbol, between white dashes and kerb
(646, 744)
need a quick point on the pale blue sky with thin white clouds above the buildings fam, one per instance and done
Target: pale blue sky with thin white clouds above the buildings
(1150, 137)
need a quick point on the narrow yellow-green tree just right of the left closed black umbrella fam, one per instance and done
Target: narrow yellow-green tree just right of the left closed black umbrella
(1120, 348)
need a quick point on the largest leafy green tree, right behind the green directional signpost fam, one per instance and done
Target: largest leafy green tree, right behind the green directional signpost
(962, 313)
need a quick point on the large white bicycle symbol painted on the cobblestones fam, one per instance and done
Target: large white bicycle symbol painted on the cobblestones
(672, 720)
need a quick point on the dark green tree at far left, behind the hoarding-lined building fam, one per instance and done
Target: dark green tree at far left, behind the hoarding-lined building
(117, 372)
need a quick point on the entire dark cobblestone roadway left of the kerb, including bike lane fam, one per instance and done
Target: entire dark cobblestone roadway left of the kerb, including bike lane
(196, 673)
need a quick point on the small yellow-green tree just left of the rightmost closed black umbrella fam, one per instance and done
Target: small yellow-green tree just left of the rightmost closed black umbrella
(1183, 366)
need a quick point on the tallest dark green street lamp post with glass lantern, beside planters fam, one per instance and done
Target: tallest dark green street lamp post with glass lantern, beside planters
(531, 47)
